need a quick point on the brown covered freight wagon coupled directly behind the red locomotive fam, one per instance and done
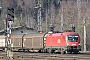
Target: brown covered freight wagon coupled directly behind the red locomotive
(33, 41)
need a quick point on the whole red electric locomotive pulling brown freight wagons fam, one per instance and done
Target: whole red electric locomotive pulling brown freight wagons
(63, 42)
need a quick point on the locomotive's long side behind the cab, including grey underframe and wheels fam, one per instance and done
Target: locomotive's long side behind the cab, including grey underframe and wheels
(55, 42)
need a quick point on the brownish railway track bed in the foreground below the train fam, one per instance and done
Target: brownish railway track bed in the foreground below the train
(45, 56)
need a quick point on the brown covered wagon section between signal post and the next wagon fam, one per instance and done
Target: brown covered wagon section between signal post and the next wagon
(16, 41)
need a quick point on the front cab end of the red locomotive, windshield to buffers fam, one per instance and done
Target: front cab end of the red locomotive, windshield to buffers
(73, 43)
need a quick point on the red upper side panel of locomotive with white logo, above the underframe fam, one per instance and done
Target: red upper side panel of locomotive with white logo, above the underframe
(55, 40)
